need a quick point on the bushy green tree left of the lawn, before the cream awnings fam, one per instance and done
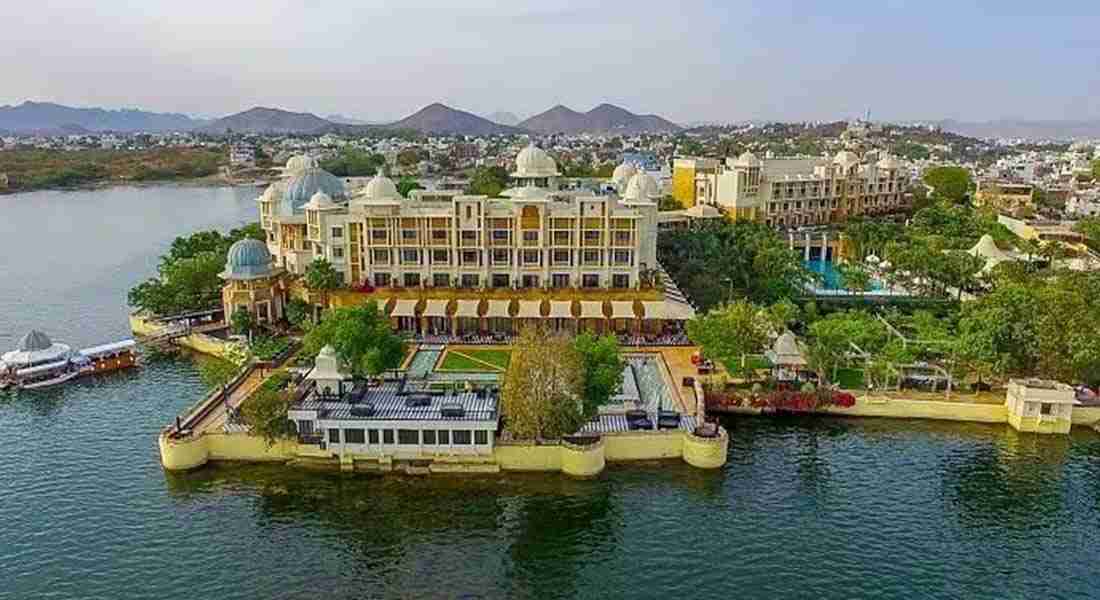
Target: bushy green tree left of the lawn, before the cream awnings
(362, 339)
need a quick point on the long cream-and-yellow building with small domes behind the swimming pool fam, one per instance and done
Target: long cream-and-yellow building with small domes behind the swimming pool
(802, 192)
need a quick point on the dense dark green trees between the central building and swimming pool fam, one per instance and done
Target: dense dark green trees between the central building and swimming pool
(719, 261)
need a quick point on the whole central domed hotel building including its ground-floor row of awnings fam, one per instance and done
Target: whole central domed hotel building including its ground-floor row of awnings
(426, 250)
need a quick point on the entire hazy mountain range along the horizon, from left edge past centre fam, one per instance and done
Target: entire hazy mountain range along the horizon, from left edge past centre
(434, 119)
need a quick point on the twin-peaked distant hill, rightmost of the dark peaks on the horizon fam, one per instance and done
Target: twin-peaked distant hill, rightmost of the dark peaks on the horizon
(603, 119)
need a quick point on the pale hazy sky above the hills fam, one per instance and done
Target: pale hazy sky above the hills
(685, 60)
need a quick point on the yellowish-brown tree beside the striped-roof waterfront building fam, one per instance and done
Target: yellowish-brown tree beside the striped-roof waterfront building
(544, 388)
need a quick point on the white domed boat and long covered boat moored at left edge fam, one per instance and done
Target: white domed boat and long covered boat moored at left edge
(40, 363)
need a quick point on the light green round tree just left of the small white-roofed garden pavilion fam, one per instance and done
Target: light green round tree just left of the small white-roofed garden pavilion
(729, 333)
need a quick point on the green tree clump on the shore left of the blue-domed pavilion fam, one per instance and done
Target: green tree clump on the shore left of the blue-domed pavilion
(189, 275)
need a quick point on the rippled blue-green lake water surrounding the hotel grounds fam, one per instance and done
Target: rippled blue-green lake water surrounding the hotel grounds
(806, 508)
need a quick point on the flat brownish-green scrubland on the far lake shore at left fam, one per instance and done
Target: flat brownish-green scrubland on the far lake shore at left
(51, 169)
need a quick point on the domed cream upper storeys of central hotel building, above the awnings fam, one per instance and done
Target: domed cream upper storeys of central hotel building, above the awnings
(537, 237)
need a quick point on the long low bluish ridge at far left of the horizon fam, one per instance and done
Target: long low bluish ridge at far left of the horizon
(51, 118)
